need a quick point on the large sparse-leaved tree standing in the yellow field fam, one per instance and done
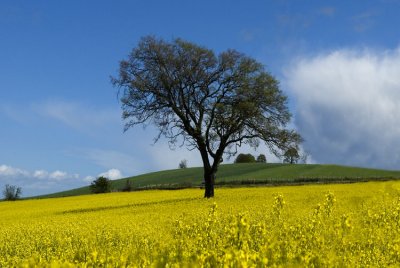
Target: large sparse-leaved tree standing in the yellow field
(212, 103)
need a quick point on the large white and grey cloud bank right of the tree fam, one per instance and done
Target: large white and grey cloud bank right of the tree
(348, 106)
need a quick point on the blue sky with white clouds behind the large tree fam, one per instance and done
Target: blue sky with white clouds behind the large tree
(60, 117)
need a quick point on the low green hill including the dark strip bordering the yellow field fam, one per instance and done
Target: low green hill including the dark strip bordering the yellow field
(242, 175)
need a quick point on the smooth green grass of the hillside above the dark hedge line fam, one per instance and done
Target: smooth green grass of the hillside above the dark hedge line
(231, 173)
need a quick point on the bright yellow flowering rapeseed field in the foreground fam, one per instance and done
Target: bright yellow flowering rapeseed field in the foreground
(353, 225)
